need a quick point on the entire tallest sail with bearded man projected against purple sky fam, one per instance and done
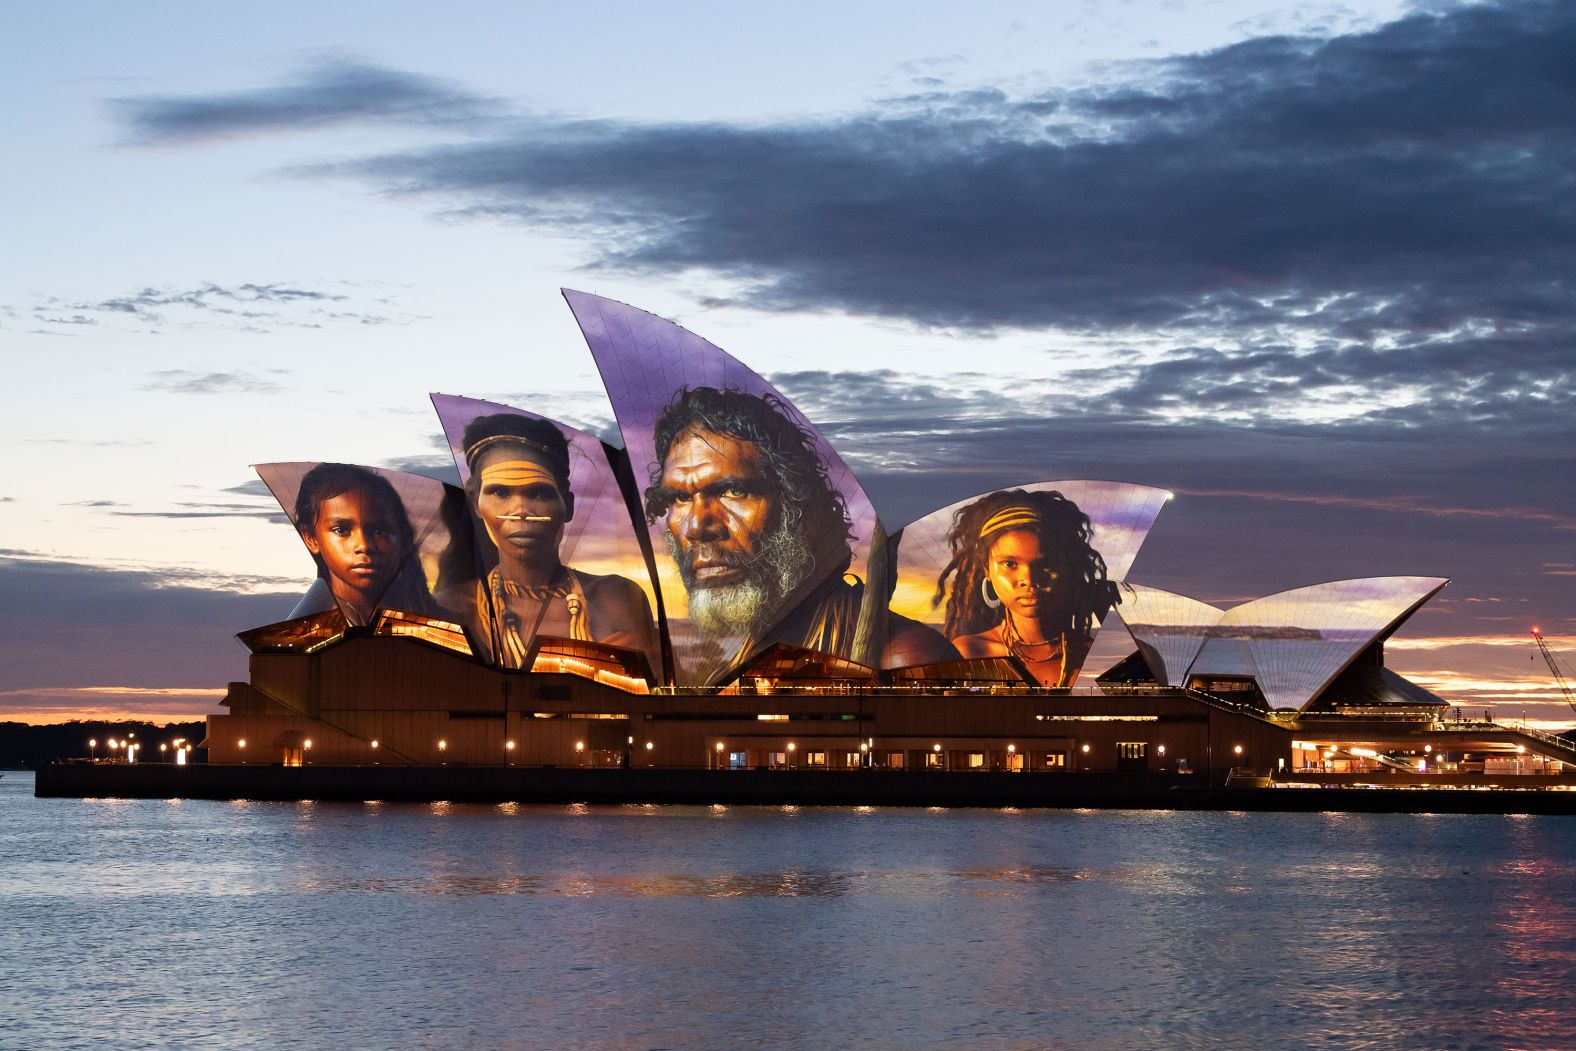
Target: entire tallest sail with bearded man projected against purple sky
(762, 535)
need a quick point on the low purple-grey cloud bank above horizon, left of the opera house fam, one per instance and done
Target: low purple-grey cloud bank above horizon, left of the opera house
(76, 625)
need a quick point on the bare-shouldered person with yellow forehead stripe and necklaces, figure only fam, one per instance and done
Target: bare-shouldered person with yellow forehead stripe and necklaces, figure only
(519, 492)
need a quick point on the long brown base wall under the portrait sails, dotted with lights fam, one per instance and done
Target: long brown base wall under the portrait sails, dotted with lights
(382, 700)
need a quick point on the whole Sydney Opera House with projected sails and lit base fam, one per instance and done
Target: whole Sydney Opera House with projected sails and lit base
(718, 593)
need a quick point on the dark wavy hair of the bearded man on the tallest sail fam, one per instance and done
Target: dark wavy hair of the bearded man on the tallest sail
(809, 503)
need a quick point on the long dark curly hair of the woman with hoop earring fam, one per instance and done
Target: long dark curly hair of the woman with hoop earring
(1082, 596)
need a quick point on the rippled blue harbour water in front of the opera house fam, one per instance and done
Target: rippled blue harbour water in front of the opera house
(573, 926)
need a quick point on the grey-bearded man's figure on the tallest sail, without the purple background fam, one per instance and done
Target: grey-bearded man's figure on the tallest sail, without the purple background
(760, 535)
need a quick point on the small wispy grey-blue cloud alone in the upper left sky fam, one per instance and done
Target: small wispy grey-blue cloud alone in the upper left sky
(332, 92)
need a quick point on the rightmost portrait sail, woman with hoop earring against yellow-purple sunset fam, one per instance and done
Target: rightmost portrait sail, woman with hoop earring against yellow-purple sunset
(1025, 574)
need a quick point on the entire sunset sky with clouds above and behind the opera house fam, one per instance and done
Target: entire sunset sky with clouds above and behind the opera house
(1309, 267)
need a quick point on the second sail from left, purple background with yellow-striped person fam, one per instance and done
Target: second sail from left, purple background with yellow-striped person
(522, 494)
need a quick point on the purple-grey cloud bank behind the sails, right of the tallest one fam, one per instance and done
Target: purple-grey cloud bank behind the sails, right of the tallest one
(1257, 510)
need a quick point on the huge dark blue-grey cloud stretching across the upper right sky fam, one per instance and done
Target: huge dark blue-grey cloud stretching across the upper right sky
(1410, 179)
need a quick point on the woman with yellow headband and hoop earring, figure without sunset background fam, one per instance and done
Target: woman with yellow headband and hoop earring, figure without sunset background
(1027, 584)
